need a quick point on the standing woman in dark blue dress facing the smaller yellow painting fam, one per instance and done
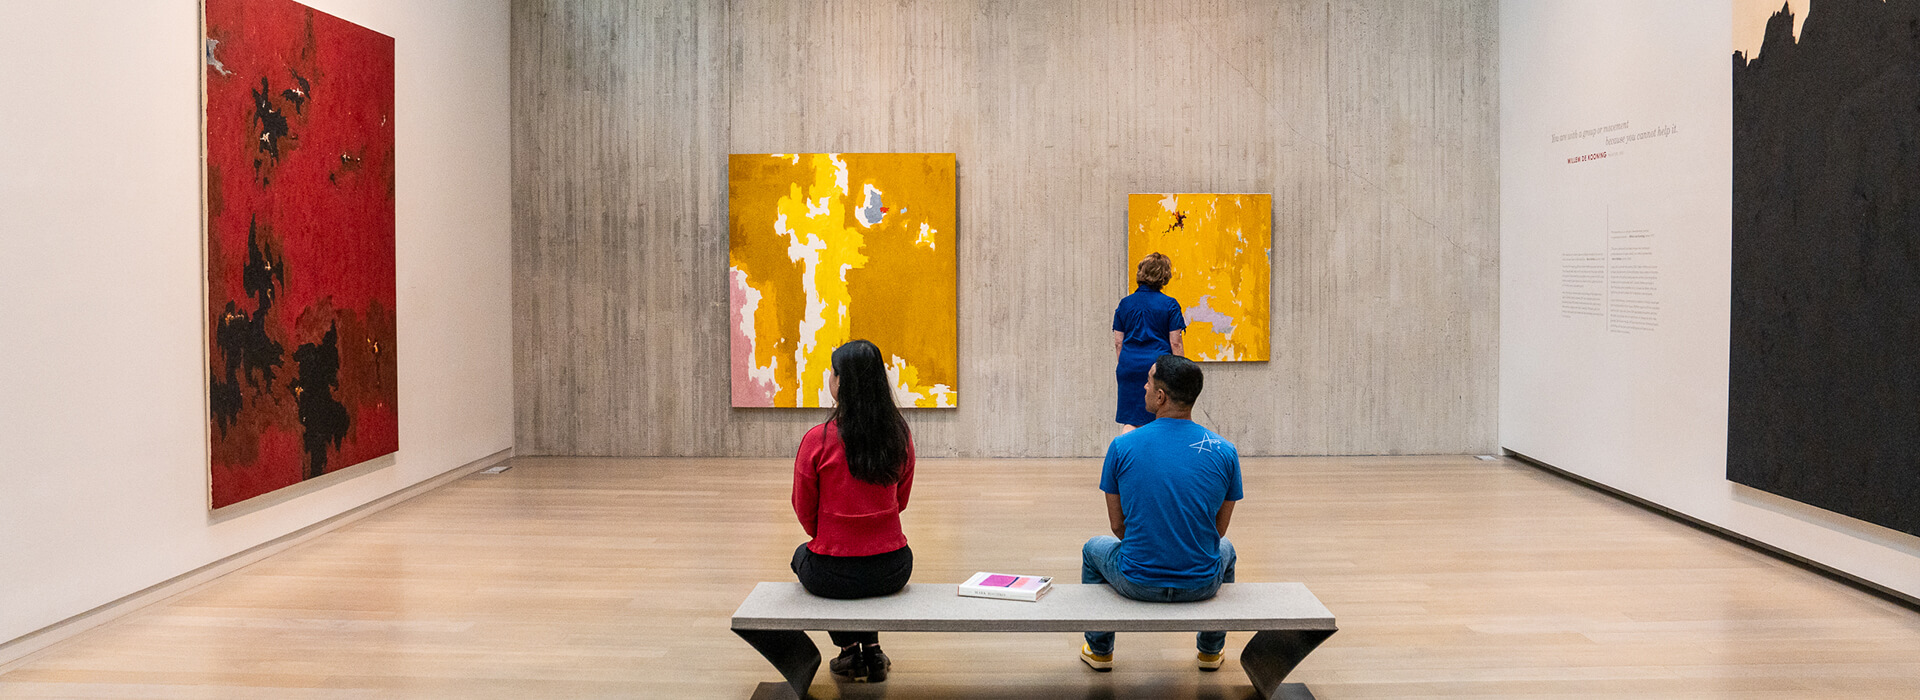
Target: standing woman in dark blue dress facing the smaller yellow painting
(1145, 327)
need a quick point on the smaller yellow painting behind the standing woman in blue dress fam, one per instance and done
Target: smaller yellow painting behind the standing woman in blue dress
(1222, 248)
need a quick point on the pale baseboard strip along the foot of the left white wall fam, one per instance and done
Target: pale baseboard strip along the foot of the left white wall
(20, 651)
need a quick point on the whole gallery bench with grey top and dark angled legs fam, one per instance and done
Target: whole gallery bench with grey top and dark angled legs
(1287, 622)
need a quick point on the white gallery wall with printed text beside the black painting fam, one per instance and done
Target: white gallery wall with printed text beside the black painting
(1616, 139)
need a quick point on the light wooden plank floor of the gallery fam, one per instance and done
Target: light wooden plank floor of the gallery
(602, 578)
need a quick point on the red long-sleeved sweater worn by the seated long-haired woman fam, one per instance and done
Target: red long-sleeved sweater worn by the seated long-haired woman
(846, 517)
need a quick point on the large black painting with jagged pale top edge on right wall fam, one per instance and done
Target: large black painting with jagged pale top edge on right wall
(1825, 358)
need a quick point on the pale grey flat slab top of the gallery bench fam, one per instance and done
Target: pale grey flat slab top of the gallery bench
(1068, 607)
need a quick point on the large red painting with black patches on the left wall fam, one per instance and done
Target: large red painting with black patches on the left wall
(300, 246)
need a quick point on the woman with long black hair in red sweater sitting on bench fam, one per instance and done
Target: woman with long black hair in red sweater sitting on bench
(850, 486)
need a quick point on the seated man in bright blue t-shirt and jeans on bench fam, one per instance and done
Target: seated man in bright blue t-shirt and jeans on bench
(1170, 490)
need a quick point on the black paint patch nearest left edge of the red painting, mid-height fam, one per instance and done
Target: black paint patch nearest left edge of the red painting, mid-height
(243, 337)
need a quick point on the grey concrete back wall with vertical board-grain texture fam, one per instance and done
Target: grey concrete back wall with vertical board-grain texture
(1370, 122)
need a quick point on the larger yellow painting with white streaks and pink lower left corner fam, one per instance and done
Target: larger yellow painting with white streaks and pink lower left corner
(827, 248)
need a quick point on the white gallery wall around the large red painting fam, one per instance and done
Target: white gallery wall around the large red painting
(103, 373)
